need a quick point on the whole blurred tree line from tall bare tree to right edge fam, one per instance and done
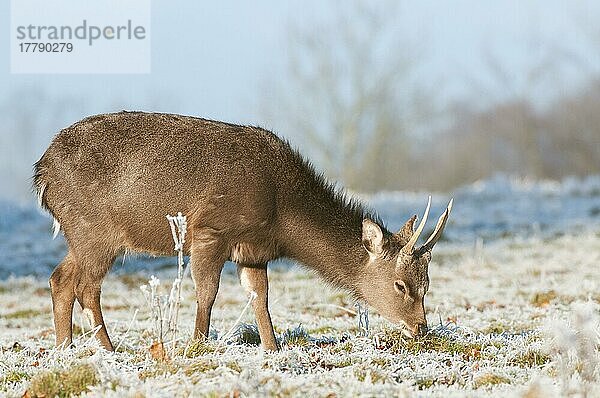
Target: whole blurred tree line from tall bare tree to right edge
(353, 101)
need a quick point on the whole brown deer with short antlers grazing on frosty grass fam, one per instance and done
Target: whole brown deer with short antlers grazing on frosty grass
(109, 180)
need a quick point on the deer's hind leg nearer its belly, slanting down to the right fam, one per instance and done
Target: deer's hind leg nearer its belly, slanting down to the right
(88, 291)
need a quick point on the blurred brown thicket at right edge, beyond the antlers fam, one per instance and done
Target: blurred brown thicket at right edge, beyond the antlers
(559, 140)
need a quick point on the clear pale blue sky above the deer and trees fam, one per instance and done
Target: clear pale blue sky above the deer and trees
(216, 59)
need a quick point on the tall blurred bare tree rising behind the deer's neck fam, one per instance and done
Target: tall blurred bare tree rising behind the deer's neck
(351, 95)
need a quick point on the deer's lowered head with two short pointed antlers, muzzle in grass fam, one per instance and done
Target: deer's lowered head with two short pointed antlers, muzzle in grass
(396, 277)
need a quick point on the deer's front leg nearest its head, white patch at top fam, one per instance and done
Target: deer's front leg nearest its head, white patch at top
(254, 279)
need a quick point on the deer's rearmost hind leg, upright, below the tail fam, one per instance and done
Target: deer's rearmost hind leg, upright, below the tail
(62, 287)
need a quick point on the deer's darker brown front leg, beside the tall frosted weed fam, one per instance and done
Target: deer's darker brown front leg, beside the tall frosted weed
(206, 269)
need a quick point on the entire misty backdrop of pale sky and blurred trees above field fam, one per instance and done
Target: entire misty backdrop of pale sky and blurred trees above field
(381, 95)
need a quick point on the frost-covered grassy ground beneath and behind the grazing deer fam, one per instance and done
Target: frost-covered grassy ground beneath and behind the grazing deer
(513, 303)
